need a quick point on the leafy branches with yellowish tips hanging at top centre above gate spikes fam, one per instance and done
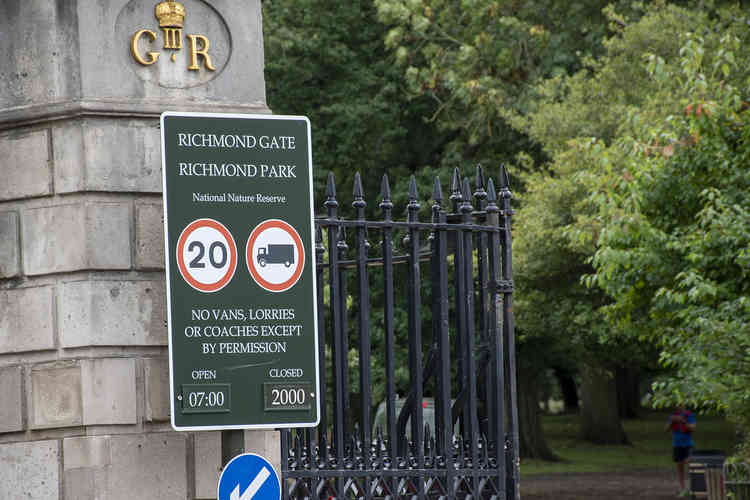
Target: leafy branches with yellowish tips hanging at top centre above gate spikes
(480, 61)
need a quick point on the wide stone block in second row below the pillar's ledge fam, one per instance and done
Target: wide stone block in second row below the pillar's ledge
(77, 236)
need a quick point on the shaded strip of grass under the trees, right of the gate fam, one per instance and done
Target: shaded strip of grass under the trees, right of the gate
(651, 446)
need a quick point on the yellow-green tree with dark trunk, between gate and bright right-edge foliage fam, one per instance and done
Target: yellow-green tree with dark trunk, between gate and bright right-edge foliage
(576, 118)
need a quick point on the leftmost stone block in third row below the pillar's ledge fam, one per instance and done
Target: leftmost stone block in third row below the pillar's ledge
(26, 322)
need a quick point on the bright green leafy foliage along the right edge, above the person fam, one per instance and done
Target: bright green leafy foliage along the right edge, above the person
(675, 219)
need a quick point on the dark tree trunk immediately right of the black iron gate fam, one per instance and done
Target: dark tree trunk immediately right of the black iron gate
(532, 442)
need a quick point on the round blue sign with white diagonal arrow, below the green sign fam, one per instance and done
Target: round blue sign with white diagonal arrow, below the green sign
(249, 477)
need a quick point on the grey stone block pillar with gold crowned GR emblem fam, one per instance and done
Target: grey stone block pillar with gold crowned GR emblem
(84, 390)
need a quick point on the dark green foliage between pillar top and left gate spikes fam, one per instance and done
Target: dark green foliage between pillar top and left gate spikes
(326, 59)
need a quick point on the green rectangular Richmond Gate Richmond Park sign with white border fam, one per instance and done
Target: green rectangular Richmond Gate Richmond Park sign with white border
(240, 280)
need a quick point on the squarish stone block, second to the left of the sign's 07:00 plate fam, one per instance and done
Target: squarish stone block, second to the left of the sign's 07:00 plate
(108, 389)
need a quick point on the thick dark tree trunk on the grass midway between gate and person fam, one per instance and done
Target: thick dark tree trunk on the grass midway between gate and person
(600, 420)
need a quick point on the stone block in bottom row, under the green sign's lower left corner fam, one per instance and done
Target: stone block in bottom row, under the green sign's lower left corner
(148, 466)
